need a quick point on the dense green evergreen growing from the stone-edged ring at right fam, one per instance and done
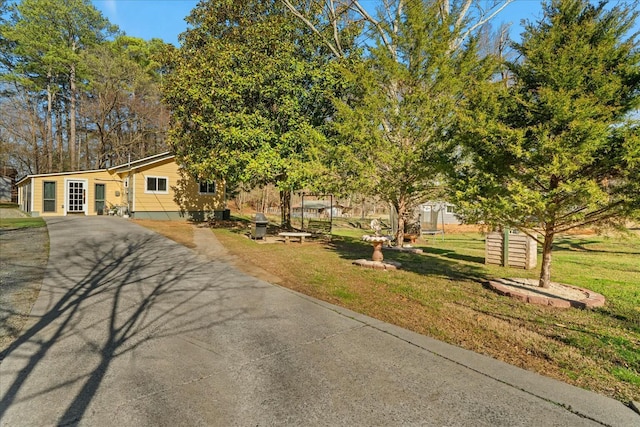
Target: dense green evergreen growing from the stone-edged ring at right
(558, 148)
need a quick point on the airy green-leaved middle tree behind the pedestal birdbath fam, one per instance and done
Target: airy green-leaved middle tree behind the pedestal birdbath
(394, 131)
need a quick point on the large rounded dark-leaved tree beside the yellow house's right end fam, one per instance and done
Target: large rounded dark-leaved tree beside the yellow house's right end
(241, 92)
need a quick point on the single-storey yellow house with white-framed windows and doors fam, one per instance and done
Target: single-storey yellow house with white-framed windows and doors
(151, 188)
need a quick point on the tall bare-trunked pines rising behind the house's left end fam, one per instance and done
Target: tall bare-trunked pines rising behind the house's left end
(46, 39)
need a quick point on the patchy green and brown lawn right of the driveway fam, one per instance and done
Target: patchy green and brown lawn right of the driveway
(441, 294)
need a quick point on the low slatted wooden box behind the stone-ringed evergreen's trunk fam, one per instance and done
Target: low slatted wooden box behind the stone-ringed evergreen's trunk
(511, 250)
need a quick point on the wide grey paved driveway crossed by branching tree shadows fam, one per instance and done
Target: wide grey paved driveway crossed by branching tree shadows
(132, 329)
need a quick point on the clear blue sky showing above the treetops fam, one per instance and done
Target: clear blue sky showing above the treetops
(164, 19)
